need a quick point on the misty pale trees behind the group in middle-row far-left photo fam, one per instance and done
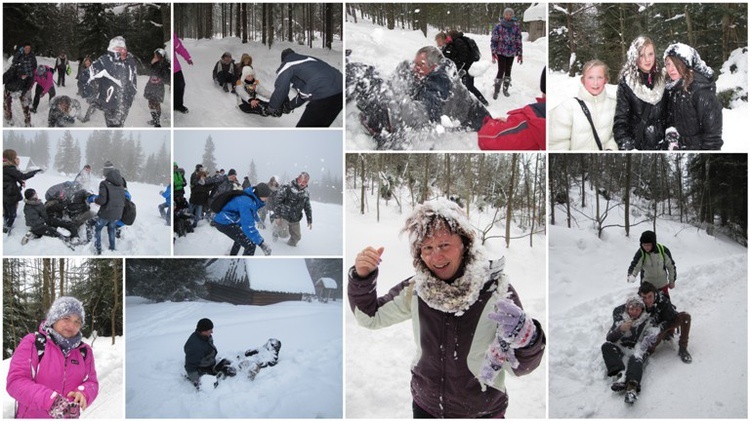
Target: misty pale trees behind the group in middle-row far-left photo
(122, 148)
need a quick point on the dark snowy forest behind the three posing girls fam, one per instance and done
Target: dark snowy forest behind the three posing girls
(580, 32)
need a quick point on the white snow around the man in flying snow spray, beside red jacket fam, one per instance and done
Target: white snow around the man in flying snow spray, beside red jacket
(385, 49)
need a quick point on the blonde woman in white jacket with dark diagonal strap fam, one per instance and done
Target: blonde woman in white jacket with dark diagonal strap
(570, 126)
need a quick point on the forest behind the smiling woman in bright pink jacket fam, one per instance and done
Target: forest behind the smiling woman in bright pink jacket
(30, 286)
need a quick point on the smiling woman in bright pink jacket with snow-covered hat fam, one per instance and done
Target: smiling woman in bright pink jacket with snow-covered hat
(52, 372)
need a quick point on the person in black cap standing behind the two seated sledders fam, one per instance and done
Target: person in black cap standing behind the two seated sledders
(654, 262)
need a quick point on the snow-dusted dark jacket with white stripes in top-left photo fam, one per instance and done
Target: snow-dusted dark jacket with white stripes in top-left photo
(118, 83)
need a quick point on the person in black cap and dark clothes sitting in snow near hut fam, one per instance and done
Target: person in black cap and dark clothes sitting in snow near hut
(200, 355)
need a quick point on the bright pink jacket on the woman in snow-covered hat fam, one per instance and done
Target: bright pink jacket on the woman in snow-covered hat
(55, 375)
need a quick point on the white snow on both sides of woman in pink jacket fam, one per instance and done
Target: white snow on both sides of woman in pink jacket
(110, 373)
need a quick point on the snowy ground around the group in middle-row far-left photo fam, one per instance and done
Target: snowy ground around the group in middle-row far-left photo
(148, 236)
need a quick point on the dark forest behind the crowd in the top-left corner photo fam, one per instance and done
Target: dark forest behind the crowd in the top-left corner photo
(82, 29)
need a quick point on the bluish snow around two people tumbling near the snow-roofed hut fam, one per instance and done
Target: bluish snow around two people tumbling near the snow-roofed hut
(306, 382)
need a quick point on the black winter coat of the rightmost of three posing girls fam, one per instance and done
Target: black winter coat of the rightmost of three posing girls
(696, 114)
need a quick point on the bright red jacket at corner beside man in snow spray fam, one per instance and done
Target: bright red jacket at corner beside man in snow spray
(524, 129)
